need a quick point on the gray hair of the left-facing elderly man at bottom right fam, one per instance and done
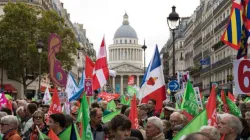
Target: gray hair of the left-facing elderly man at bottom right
(234, 122)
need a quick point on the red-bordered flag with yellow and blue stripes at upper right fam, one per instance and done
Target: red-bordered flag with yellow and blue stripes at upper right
(232, 35)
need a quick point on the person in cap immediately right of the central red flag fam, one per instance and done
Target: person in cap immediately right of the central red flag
(143, 114)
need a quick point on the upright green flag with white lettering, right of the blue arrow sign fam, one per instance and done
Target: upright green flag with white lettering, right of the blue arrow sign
(189, 102)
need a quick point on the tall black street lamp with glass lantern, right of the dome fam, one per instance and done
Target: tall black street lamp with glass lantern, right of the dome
(173, 21)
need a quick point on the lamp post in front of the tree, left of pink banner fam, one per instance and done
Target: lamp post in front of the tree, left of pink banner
(39, 46)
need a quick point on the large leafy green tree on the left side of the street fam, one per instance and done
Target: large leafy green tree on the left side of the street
(20, 29)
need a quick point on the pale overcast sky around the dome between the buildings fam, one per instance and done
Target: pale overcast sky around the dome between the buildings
(147, 17)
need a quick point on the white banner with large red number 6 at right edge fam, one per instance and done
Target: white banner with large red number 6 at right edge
(242, 76)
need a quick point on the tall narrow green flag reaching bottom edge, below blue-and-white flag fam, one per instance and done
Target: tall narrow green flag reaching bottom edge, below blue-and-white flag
(86, 131)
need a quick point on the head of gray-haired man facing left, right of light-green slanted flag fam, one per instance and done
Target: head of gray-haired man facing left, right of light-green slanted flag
(230, 126)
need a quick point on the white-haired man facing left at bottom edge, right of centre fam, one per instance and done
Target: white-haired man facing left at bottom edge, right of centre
(154, 129)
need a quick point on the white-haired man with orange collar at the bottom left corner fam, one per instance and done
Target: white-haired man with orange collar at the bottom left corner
(9, 128)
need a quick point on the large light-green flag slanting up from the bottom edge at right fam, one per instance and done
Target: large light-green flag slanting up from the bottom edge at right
(194, 125)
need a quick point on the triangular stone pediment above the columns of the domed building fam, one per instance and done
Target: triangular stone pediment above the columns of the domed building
(125, 67)
